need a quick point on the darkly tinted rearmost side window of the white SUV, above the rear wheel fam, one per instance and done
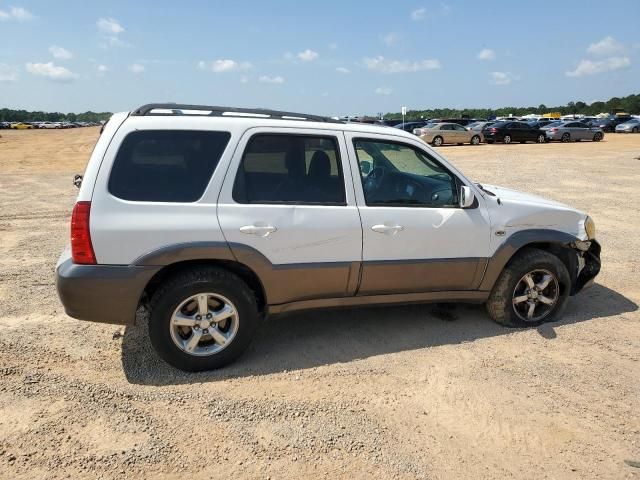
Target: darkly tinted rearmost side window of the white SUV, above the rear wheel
(166, 165)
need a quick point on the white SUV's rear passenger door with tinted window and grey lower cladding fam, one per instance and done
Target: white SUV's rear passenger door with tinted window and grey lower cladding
(287, 209)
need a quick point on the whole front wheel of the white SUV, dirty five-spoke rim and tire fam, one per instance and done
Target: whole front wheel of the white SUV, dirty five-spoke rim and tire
(532, 289)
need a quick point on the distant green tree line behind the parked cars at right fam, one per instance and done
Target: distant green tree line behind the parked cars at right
(629, 104)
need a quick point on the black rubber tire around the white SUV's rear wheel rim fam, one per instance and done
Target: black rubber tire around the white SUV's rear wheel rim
(191, 282)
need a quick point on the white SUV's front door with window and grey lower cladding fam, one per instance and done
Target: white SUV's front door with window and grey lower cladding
(416, 238)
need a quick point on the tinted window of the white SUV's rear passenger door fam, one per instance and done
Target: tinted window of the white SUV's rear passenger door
(290, 169)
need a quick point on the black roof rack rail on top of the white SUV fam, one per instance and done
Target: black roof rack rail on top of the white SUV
(168, 109)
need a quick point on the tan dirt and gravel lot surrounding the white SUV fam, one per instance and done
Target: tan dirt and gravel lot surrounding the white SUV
(404, 392)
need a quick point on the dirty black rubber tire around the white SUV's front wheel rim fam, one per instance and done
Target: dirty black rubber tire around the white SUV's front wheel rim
(500, 304)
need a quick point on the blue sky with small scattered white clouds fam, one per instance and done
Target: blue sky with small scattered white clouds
(329, 57)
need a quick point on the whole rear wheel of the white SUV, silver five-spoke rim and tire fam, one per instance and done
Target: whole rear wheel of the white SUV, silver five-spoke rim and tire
(202, 319)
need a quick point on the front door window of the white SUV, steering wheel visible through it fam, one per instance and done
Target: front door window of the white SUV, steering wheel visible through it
(397, 174)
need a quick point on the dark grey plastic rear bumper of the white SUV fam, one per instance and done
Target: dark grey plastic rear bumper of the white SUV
(101, 293)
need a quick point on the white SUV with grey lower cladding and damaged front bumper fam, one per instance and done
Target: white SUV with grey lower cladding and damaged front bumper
(214, 217)
